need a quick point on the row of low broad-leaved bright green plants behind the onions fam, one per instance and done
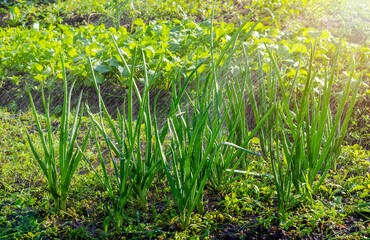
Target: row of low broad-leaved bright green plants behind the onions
(178, 45)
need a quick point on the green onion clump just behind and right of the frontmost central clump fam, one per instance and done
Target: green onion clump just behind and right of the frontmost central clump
(227, 92)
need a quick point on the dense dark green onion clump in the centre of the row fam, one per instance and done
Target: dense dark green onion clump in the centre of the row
(197, 135)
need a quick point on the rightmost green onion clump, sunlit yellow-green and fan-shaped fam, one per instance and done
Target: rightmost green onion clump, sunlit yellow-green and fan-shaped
(317, 133)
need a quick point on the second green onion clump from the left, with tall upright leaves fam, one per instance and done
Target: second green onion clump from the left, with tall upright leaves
(138, 158)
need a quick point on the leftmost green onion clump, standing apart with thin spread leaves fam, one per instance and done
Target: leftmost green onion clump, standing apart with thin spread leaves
(59, 170)
